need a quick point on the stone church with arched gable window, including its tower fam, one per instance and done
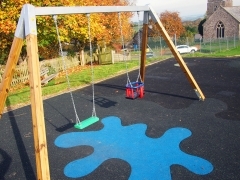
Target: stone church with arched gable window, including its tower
(223, 20)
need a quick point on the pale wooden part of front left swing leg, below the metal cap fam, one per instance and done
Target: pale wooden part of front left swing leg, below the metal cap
(40, 142)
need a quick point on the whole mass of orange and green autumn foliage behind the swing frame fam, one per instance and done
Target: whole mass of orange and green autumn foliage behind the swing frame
(72, 28)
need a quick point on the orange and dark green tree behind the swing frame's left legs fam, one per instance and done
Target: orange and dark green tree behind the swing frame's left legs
(9, 15)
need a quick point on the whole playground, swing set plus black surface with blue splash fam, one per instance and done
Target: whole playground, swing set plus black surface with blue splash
(160, 126)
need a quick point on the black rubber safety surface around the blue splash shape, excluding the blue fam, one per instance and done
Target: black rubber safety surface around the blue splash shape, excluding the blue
(169, 102)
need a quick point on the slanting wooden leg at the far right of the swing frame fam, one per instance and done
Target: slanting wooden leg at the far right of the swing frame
(177, 56)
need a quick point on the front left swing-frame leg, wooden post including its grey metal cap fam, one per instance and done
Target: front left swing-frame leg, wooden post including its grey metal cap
(28, 15)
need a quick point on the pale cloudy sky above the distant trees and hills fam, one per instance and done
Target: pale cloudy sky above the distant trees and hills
(186, 8)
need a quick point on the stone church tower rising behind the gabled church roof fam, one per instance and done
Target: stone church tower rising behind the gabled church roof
(212, 5)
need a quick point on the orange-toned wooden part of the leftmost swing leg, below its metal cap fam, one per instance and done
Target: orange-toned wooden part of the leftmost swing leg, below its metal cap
(9, 71)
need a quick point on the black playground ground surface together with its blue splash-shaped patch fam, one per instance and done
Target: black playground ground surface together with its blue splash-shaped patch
(167, 134)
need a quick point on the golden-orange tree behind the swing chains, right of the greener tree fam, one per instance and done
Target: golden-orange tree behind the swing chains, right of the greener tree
(104, 26)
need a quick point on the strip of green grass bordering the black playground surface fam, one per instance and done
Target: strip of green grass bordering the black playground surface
(81, 76)
